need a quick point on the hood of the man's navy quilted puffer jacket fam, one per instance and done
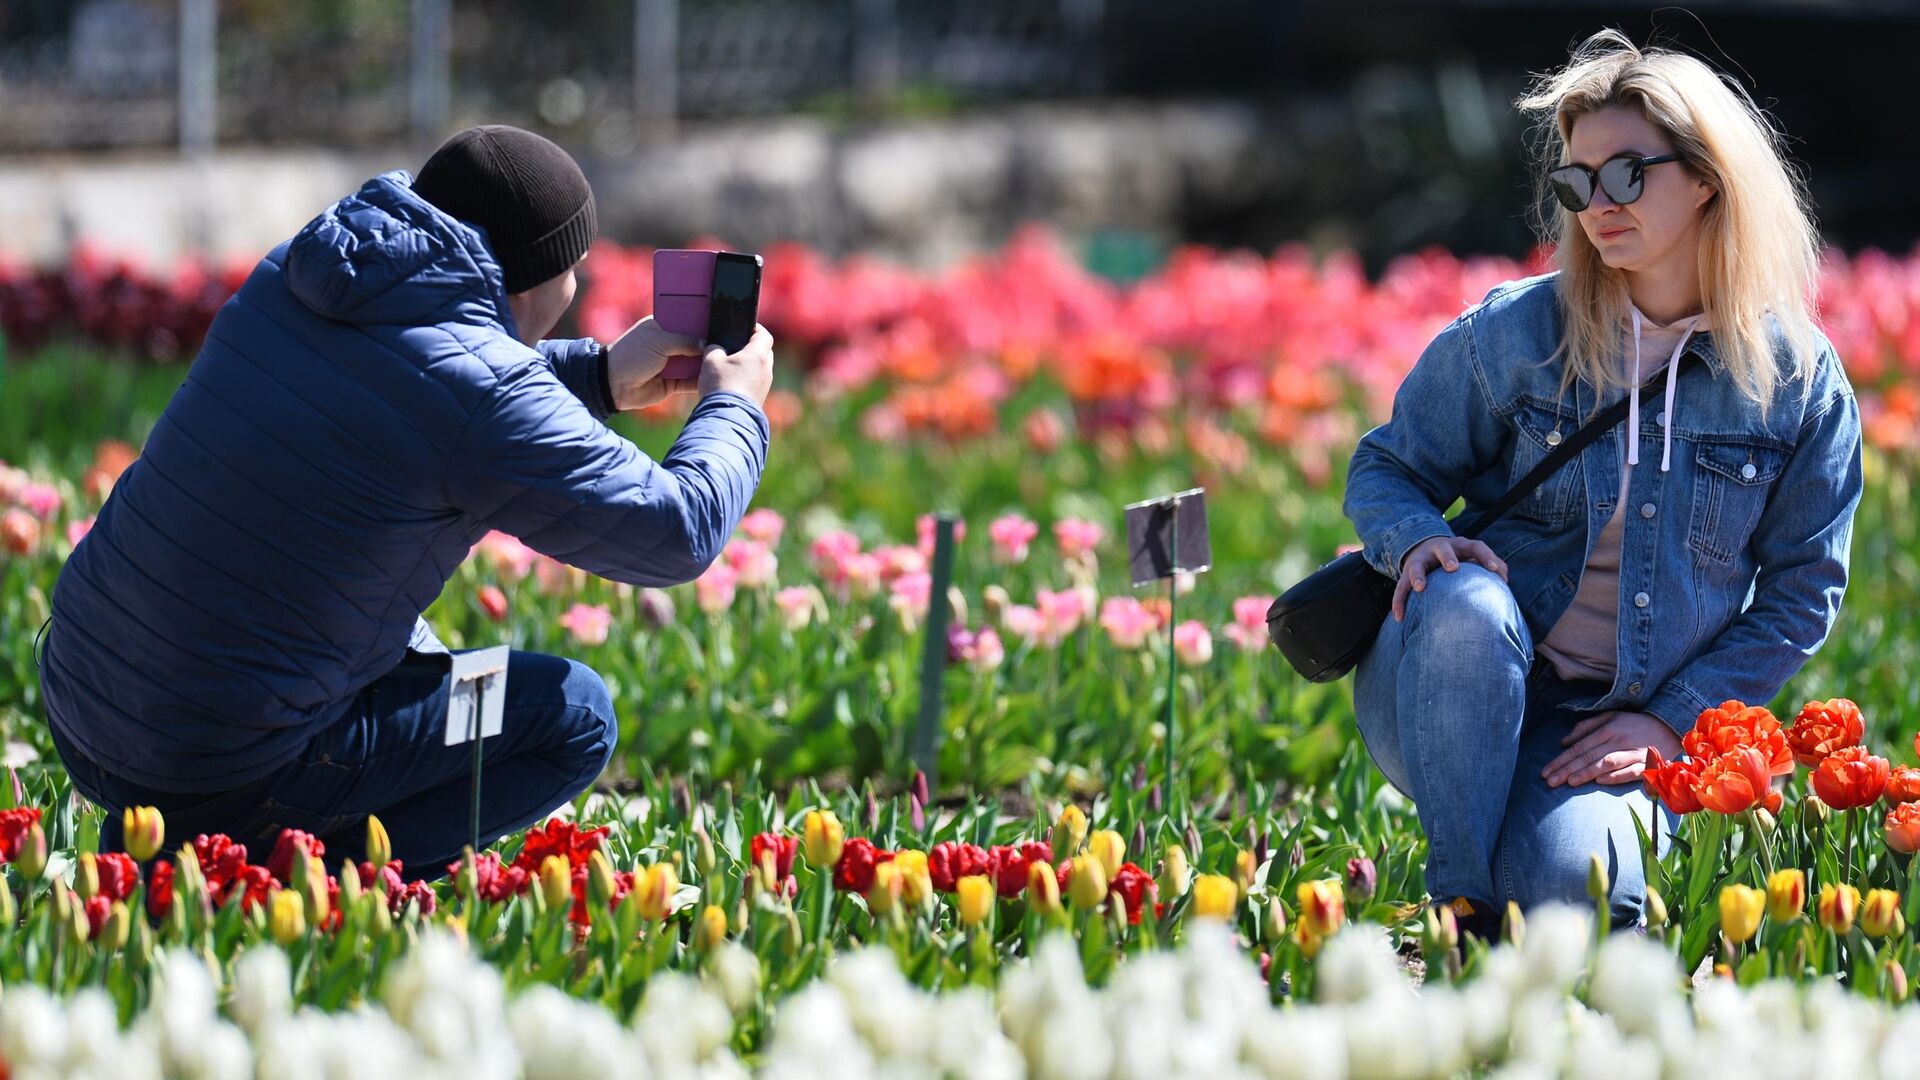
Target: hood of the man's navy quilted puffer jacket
(387, 257)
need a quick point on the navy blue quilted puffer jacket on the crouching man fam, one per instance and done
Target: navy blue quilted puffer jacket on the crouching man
(360, 416)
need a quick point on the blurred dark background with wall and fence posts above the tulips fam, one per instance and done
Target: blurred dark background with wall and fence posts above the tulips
(917, 130)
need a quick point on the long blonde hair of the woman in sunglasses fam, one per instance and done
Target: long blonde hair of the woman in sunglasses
(1760, 251)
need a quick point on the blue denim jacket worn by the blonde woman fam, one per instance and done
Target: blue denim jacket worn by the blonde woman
(1733, 564)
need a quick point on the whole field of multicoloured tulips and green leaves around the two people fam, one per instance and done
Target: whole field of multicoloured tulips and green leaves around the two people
(771, 881)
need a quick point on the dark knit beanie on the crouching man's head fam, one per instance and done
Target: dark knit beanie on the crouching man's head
(527, 193)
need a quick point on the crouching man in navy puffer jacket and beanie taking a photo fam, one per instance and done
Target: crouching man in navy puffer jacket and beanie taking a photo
(239, 641)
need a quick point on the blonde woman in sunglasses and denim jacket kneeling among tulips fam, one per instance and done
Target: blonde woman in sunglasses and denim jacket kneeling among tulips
(1691, 556)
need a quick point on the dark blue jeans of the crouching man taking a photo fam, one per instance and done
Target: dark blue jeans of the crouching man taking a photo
(387, 758)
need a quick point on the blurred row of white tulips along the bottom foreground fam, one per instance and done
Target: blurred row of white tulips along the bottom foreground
(1193, 1012)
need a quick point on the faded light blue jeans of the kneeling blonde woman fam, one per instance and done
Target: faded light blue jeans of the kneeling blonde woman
(1462, 718)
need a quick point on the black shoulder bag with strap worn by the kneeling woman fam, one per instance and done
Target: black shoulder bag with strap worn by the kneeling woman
(1330, 620)
